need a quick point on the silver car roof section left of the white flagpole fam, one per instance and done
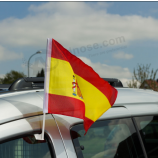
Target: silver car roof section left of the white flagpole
(19, 106)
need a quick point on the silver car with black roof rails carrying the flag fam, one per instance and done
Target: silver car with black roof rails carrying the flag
(127, 130)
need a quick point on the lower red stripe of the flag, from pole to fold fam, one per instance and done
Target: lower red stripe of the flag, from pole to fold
(63, 105)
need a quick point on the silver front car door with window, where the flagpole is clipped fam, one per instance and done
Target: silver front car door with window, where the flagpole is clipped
(17, 139)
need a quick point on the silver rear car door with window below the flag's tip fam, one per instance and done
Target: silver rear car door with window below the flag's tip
(112, 136)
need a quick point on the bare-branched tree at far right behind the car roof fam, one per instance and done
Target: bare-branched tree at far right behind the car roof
(140, 74)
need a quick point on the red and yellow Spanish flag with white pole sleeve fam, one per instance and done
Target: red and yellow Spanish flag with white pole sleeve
(73, 88)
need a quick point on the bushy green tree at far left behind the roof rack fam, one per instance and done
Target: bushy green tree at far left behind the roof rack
(11, 76)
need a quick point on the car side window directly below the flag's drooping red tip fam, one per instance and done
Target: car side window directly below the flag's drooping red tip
(107, 139)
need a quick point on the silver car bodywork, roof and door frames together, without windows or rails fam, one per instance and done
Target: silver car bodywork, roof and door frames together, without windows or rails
(27, 107)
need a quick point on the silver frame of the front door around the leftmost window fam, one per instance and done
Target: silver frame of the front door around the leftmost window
(34, 125)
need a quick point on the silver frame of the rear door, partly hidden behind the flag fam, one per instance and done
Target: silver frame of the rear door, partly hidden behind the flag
(65, 123)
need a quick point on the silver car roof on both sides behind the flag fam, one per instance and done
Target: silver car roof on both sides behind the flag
(129, 102)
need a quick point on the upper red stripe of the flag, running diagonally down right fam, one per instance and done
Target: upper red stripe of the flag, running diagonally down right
(84, 71)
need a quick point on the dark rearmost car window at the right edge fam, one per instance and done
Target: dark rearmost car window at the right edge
(148, 127)
